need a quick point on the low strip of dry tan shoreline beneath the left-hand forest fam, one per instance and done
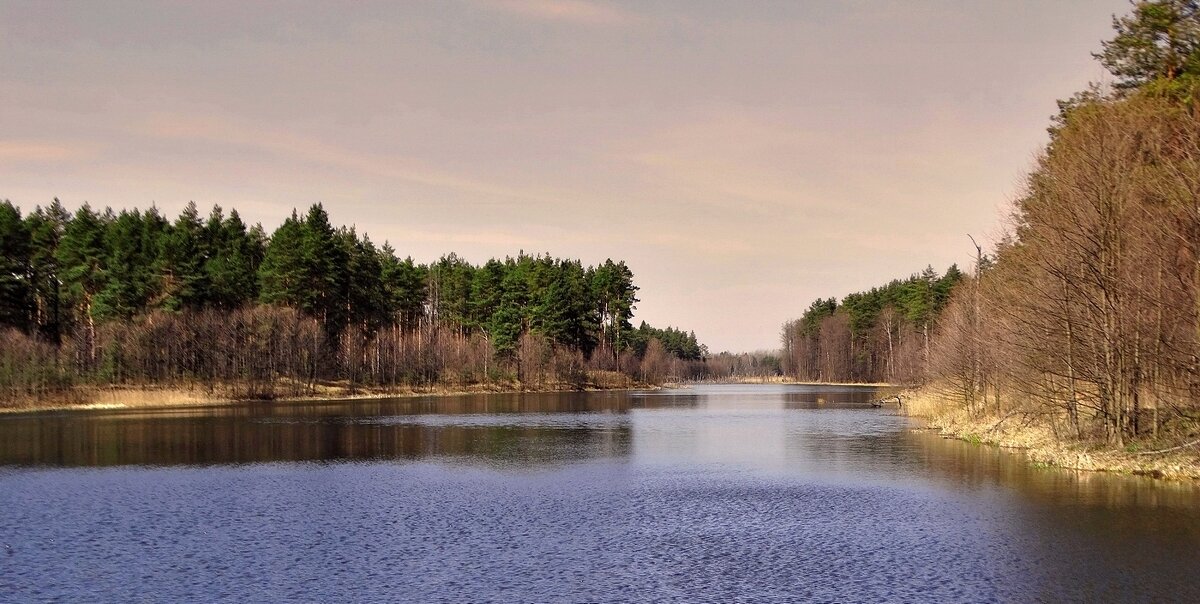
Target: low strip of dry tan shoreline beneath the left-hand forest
(201, 396)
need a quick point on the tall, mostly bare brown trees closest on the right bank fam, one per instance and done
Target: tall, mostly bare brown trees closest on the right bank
(1089, 319)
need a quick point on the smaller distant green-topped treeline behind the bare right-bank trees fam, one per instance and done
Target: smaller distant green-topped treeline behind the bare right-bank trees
(880, 336)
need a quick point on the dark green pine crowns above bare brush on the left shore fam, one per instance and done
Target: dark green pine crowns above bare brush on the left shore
(63, 271)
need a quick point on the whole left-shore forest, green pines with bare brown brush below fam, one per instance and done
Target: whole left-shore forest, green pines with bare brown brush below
(133, 298)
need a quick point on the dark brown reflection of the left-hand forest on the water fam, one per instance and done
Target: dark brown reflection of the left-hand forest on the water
(467, 427)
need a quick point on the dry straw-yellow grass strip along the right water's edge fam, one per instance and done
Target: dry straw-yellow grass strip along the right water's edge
(1041, 446)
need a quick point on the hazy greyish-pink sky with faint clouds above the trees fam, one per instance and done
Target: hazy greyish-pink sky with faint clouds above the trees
(742, 158)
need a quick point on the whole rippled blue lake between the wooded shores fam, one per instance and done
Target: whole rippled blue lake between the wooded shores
(707, 494)
